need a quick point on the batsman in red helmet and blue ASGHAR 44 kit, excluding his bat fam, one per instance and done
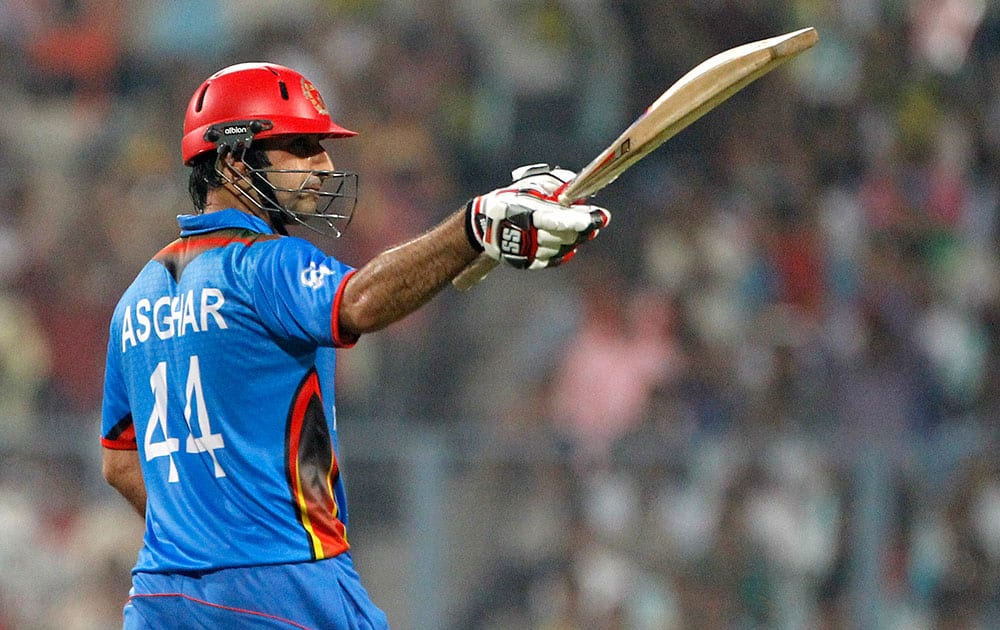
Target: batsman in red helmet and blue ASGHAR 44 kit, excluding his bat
(219, 416)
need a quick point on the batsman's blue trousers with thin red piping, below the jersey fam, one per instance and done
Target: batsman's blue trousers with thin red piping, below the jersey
(313, 595)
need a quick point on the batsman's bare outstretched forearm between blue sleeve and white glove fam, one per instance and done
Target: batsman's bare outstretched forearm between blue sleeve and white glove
(400, 280)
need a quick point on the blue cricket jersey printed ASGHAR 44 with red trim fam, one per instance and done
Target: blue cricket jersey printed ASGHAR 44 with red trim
(220, 372)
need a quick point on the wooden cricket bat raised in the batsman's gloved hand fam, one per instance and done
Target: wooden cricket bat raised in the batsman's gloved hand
(693, 95)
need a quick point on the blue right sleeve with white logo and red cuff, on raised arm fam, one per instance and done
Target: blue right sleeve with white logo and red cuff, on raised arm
(297, 290)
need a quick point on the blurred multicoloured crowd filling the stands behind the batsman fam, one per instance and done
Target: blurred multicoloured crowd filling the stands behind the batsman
(763, 398)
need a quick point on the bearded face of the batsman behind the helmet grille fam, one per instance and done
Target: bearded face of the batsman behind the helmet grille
(296, 191)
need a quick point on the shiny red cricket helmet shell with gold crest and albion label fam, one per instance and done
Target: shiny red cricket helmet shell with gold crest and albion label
(254, 100)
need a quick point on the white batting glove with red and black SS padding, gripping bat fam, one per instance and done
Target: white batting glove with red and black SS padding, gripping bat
(524, 224)
